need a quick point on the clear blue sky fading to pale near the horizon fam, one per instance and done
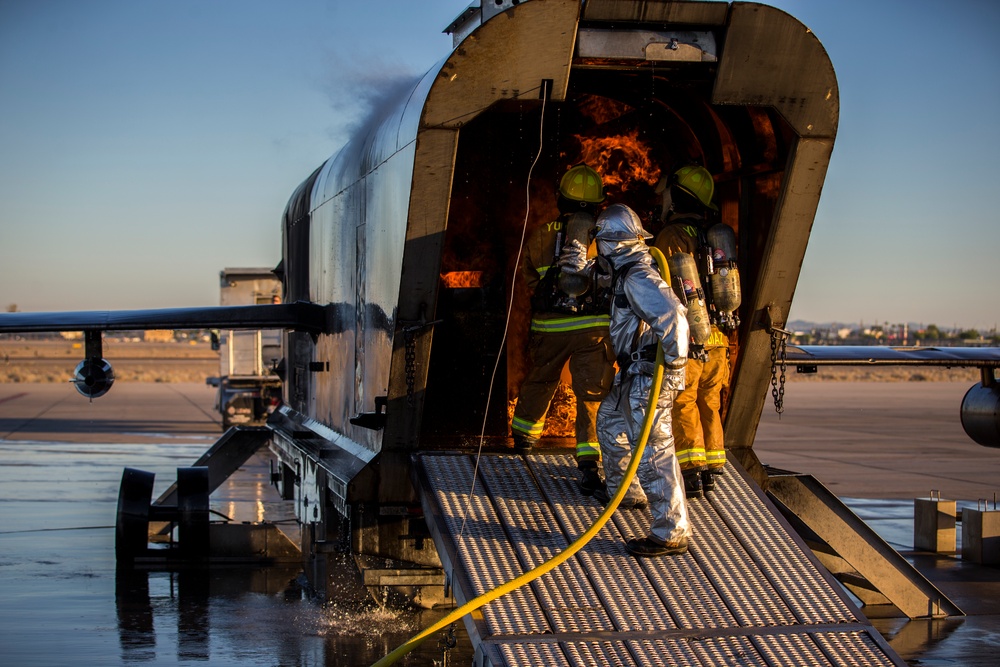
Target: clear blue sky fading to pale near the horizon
(146, 145)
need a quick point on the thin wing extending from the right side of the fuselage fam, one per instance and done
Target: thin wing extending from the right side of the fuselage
(877, 355)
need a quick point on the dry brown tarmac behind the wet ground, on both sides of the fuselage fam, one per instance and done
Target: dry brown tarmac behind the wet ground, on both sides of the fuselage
(881, 440)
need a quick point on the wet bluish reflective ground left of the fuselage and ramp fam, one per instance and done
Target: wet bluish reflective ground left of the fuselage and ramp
(62, 600)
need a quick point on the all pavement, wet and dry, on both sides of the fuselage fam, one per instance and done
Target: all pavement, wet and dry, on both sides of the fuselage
(877, 446)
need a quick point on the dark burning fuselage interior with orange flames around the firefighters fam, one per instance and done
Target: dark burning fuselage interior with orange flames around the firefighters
(632, 124)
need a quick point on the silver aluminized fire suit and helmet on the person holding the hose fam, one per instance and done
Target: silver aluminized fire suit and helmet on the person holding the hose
(645, 312)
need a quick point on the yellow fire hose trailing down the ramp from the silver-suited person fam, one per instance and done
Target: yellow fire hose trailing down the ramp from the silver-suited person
(563, 556)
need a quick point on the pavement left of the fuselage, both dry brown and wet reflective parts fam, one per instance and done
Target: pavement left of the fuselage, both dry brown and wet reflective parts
(62, 601)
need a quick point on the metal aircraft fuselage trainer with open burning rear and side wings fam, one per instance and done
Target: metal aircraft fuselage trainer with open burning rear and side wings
(399, 253)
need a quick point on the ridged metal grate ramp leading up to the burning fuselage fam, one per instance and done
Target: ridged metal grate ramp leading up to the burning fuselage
(746, 593)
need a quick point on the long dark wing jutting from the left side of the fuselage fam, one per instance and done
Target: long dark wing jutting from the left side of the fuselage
(299, 316)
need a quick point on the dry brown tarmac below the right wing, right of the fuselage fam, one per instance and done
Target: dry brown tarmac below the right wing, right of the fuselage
(882, 440)
